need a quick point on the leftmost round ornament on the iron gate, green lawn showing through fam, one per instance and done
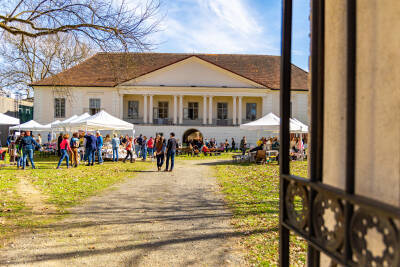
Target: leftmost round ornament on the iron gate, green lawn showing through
(296, 202)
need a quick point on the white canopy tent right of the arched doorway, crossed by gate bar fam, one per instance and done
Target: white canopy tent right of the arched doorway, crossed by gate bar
(269, 122)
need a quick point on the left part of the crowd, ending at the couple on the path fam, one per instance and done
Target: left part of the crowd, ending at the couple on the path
(22, 148)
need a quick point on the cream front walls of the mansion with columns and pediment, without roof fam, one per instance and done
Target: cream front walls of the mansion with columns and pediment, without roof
(184, 85)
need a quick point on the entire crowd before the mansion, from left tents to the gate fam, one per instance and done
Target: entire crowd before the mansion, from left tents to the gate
(84, 147)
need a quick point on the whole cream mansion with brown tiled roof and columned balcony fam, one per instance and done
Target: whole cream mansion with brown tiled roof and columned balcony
(163, 92)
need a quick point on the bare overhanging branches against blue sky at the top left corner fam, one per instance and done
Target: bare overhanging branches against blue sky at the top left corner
(110, 24)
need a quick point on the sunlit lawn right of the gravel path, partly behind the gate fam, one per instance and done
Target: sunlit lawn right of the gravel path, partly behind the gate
(252, 192)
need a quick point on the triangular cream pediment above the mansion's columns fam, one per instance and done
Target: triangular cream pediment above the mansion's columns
(192, 71)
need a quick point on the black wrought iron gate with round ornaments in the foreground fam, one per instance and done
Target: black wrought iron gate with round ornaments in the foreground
(355, 215)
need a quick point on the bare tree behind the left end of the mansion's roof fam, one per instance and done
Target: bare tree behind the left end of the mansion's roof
(37, 58)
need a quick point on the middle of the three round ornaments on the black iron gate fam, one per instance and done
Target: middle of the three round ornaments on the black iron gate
(328, 221)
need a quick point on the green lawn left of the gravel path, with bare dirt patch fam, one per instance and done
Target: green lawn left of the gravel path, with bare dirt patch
(63, 188)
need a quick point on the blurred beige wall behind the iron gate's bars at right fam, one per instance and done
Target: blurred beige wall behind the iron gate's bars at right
(377, 165)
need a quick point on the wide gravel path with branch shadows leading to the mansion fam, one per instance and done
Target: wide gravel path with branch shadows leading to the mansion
(155, 219)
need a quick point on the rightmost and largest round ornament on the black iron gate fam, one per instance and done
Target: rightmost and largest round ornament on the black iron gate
(374, 240)
